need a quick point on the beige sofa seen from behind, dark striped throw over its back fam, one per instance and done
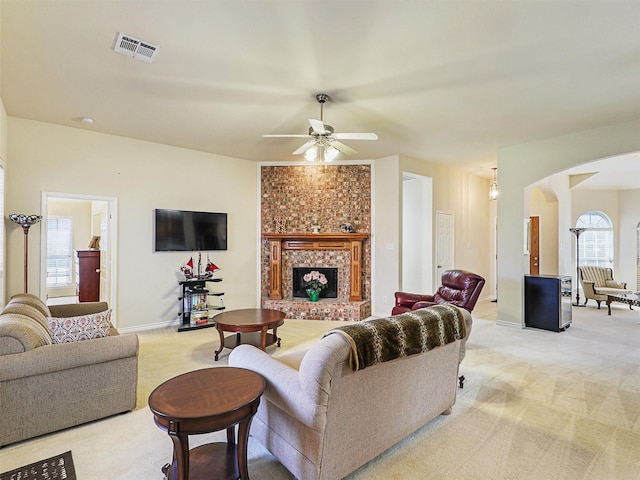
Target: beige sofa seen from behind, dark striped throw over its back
(322, 420)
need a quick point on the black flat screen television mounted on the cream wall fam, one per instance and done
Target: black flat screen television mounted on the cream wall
(181, 231)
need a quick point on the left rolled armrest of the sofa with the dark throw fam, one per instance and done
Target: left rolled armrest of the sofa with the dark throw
(283, 383)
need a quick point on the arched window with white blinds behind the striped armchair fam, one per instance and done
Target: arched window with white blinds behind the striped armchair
(596, 243)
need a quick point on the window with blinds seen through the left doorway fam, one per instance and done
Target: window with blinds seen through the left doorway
(59, 251)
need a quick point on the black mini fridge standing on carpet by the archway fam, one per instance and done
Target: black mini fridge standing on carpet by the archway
(547, 302)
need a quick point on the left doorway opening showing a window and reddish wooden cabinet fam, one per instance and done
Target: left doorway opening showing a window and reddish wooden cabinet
(93, 220)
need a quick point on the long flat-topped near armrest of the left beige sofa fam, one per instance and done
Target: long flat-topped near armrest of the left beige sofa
(66, 356)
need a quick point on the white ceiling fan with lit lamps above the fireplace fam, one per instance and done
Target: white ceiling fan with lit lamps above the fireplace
(323, 143)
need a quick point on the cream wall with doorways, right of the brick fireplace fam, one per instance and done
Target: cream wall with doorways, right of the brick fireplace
(455, 191)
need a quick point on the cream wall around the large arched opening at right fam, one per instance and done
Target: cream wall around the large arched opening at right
(522, 165)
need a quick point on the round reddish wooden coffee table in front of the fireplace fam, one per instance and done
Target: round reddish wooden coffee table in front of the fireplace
(248, 320)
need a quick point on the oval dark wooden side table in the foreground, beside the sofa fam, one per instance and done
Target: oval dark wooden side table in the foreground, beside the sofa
(206, 401)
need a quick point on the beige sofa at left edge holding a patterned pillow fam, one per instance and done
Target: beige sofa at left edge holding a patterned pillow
(46, 387)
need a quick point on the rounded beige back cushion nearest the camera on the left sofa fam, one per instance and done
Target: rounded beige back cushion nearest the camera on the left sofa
(21, 333)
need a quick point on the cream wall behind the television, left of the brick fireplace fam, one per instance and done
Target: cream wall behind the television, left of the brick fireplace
(142, 176)
